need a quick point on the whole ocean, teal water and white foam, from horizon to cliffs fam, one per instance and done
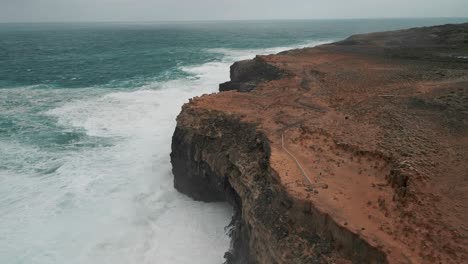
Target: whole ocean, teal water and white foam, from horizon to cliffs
(87, 112)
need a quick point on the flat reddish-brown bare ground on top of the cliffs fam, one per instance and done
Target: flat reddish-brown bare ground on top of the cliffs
(379, 125)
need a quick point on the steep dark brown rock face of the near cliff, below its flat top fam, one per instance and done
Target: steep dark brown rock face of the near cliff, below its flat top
(229, 160)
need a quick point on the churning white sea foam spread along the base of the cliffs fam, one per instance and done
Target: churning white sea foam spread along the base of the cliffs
(116, 203)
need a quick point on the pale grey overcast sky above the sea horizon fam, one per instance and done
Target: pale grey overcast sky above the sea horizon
(156, 10)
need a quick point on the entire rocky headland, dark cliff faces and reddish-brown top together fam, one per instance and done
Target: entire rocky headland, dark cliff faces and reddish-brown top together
(350, 152)
